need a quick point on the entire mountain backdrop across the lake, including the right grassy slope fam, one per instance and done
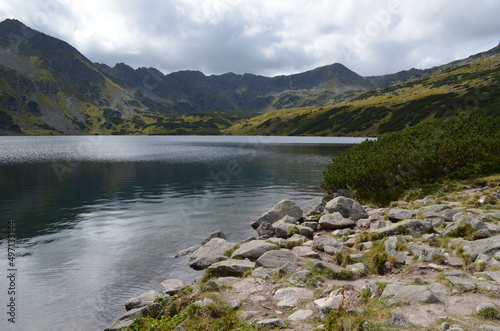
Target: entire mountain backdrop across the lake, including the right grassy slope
(49, 87)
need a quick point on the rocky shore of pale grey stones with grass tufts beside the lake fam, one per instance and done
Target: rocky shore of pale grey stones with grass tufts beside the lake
(430, 264)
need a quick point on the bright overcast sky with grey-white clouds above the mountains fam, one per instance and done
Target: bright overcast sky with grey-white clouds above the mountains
(267, 37)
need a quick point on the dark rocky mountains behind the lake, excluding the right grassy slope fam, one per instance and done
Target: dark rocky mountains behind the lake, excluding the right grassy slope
(48, 87)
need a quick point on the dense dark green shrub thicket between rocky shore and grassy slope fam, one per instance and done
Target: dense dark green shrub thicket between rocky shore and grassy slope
(458, 147)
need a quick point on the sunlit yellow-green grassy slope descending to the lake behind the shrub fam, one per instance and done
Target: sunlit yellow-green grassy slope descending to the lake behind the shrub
(454, 88)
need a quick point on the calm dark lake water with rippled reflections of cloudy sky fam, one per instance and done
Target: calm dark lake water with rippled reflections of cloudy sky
(98, 218)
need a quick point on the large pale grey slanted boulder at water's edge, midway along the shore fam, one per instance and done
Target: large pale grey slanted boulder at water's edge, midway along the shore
(208, 254)
